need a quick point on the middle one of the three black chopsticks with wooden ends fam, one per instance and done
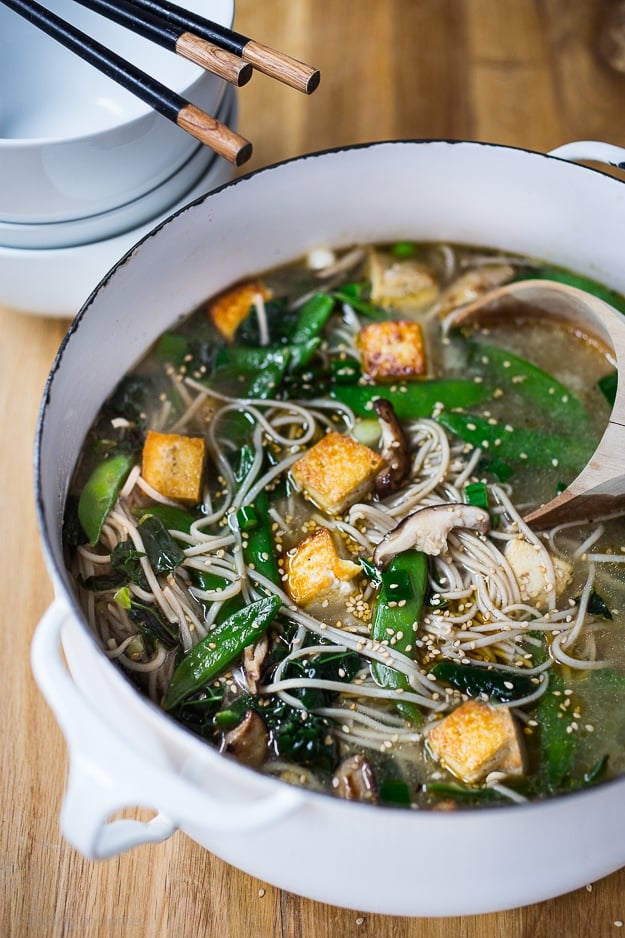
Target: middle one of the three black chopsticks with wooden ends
(213, 58)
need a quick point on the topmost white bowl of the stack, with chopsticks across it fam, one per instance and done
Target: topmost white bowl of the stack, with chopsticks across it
(72, 141)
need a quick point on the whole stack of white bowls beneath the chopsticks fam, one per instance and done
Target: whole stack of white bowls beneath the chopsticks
(86, 168)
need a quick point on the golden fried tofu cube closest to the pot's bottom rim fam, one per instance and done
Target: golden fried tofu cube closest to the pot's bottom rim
(475, 739)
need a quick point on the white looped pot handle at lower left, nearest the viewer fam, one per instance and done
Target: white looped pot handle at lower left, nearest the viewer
(106, 775)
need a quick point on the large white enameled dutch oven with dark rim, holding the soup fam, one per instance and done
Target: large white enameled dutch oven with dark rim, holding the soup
(122, 750)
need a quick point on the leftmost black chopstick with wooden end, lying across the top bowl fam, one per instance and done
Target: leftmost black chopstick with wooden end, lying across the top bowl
(189, 117)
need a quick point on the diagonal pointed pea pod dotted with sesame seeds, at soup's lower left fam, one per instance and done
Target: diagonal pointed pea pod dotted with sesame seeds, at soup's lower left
(223, 645)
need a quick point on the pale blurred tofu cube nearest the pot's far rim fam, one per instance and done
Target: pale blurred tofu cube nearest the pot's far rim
(402, 284)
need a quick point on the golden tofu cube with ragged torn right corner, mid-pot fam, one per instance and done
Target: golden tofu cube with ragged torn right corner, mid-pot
(314, 568)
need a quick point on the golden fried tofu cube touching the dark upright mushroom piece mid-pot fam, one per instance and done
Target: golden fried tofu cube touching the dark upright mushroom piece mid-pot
(336, 472)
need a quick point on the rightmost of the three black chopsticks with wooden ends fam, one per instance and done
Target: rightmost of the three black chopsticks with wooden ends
(276, 64)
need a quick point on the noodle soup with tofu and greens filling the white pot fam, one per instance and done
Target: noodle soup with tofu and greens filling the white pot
(297, 526)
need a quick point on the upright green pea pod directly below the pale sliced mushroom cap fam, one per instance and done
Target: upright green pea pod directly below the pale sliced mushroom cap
(395, 622)
